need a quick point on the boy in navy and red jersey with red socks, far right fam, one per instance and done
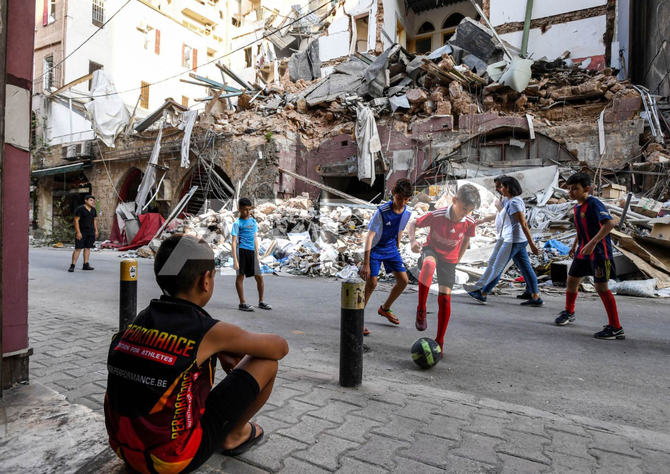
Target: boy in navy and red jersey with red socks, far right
(592, 253)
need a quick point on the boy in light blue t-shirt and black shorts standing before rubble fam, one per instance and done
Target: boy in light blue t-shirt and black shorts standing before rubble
(245, 255)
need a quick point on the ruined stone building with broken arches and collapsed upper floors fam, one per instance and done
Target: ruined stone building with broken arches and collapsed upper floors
(447, 98)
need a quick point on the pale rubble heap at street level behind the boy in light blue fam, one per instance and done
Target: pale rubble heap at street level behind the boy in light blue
(294, 237)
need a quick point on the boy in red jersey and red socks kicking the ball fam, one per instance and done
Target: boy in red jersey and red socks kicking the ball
(450, 231)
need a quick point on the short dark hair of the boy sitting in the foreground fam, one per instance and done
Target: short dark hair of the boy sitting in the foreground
(194, 256)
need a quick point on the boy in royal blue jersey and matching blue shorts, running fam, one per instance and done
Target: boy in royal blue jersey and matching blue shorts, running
(381, 246)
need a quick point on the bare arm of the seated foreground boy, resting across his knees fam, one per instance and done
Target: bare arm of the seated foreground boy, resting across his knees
(236, 343)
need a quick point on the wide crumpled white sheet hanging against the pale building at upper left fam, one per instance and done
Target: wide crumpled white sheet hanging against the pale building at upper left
(107, 111)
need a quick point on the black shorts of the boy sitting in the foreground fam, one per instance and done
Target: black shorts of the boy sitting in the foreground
(225, 405)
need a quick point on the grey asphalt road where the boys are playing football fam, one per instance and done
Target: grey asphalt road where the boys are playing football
(498, 351)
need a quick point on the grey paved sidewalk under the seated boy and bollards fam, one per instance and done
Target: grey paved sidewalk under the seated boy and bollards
(312, 425)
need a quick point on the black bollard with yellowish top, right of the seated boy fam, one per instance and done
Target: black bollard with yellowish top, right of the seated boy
(351, 333)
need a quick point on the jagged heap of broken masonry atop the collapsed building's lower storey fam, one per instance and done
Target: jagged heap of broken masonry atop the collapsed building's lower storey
(469, 74)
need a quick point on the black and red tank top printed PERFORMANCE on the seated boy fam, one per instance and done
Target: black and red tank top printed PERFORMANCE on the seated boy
(156, 392)
